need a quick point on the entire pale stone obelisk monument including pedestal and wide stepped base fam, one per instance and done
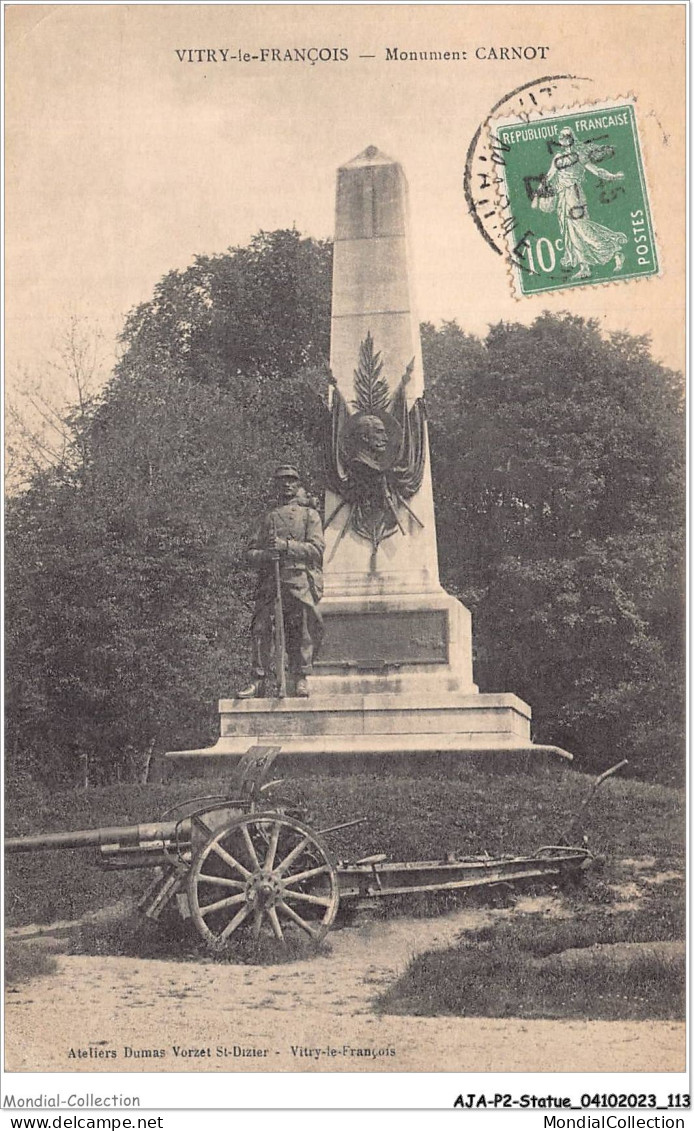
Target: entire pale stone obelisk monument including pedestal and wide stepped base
(394, 678)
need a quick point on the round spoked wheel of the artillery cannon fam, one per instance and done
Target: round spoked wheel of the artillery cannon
(263, 876)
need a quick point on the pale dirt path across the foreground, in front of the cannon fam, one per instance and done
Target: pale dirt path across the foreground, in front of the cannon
(122, 1012)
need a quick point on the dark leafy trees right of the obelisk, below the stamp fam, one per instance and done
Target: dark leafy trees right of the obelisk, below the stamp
(559, 470)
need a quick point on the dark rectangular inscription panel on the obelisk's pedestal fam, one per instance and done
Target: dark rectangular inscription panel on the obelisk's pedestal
(370, 642)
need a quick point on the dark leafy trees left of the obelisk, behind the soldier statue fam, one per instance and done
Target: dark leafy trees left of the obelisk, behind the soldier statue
(129, 611)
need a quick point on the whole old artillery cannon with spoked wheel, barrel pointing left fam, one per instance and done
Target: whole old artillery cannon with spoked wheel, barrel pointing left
(240, 869)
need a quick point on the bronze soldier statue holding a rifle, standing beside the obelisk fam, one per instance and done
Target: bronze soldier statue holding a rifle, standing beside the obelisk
(287, 631)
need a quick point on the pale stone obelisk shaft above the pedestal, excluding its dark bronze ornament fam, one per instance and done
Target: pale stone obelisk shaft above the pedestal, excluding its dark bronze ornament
(372, 296)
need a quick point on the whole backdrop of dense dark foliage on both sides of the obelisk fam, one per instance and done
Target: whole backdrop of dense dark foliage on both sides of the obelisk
(558, 463)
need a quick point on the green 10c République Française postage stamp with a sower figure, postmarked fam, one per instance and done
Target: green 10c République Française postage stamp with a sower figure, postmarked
(575, 200)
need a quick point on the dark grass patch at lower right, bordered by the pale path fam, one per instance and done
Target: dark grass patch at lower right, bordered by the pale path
(619, 966)
